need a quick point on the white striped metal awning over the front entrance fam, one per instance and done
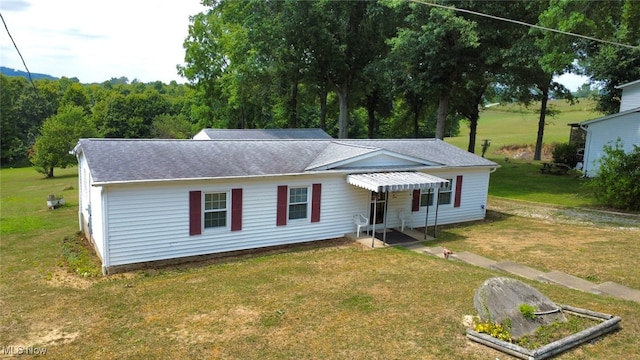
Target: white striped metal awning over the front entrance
(396, 181)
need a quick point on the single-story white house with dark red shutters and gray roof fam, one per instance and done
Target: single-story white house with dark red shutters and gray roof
(149, 200)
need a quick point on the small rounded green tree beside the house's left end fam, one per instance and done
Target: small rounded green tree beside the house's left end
(58, 136)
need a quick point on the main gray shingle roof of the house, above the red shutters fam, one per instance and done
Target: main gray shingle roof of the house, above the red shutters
(126, 160)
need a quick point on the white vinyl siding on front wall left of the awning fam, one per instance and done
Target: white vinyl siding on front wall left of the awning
(151, 222)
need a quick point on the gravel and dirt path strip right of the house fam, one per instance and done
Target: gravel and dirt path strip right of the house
(559, 214)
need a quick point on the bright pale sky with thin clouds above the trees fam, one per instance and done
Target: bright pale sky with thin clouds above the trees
(98, 40)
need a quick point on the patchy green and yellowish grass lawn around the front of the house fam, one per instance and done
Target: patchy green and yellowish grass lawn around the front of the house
(334, 300)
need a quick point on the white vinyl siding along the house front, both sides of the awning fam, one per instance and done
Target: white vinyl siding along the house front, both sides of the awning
(148, 222)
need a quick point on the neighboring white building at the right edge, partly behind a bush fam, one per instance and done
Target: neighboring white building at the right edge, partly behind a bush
(624, 125)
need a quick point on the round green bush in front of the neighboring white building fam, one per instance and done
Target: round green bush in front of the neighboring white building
(617, 183)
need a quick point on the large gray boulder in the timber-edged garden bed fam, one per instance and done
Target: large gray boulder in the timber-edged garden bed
(500, 298)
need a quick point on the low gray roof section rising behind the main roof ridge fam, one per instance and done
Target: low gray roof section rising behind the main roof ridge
(265, 134)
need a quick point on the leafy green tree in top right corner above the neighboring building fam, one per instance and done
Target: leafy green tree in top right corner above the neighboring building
(607, 65)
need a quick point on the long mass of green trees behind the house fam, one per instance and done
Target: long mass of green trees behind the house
(382, 68)
